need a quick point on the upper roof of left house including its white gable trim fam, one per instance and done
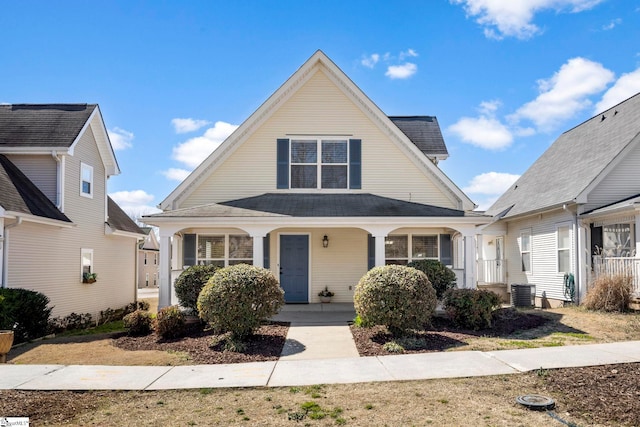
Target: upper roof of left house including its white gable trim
(43, 128)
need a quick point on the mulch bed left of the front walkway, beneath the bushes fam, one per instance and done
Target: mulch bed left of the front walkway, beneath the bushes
(206, 347)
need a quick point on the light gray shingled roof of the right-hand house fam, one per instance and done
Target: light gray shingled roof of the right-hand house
(575, 162)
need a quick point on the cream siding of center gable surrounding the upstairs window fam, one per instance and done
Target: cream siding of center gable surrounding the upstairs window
(320, 108)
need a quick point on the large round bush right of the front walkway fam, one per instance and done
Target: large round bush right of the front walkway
(398, 297)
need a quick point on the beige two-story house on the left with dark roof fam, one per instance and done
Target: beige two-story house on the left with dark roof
(56, 221)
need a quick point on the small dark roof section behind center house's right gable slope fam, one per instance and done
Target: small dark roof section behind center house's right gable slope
(424, 132)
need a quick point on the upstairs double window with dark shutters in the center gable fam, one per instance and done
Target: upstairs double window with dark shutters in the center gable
(319, 163)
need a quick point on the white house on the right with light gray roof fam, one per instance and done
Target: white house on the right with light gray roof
(575, 211)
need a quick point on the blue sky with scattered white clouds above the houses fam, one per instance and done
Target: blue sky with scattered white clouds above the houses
(173, 79)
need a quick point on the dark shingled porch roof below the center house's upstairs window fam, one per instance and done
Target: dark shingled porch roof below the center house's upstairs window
(314, 205)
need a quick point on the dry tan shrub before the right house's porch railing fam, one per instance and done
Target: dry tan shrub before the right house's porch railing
(610, 293)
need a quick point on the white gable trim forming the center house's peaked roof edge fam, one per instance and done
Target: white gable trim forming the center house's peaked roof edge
(319, 61)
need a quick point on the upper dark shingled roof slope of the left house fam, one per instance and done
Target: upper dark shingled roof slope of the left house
(46, 125)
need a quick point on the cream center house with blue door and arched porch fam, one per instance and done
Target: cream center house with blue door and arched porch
(319, 185)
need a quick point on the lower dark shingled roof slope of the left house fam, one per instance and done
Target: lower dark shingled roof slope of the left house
(20, 195)
